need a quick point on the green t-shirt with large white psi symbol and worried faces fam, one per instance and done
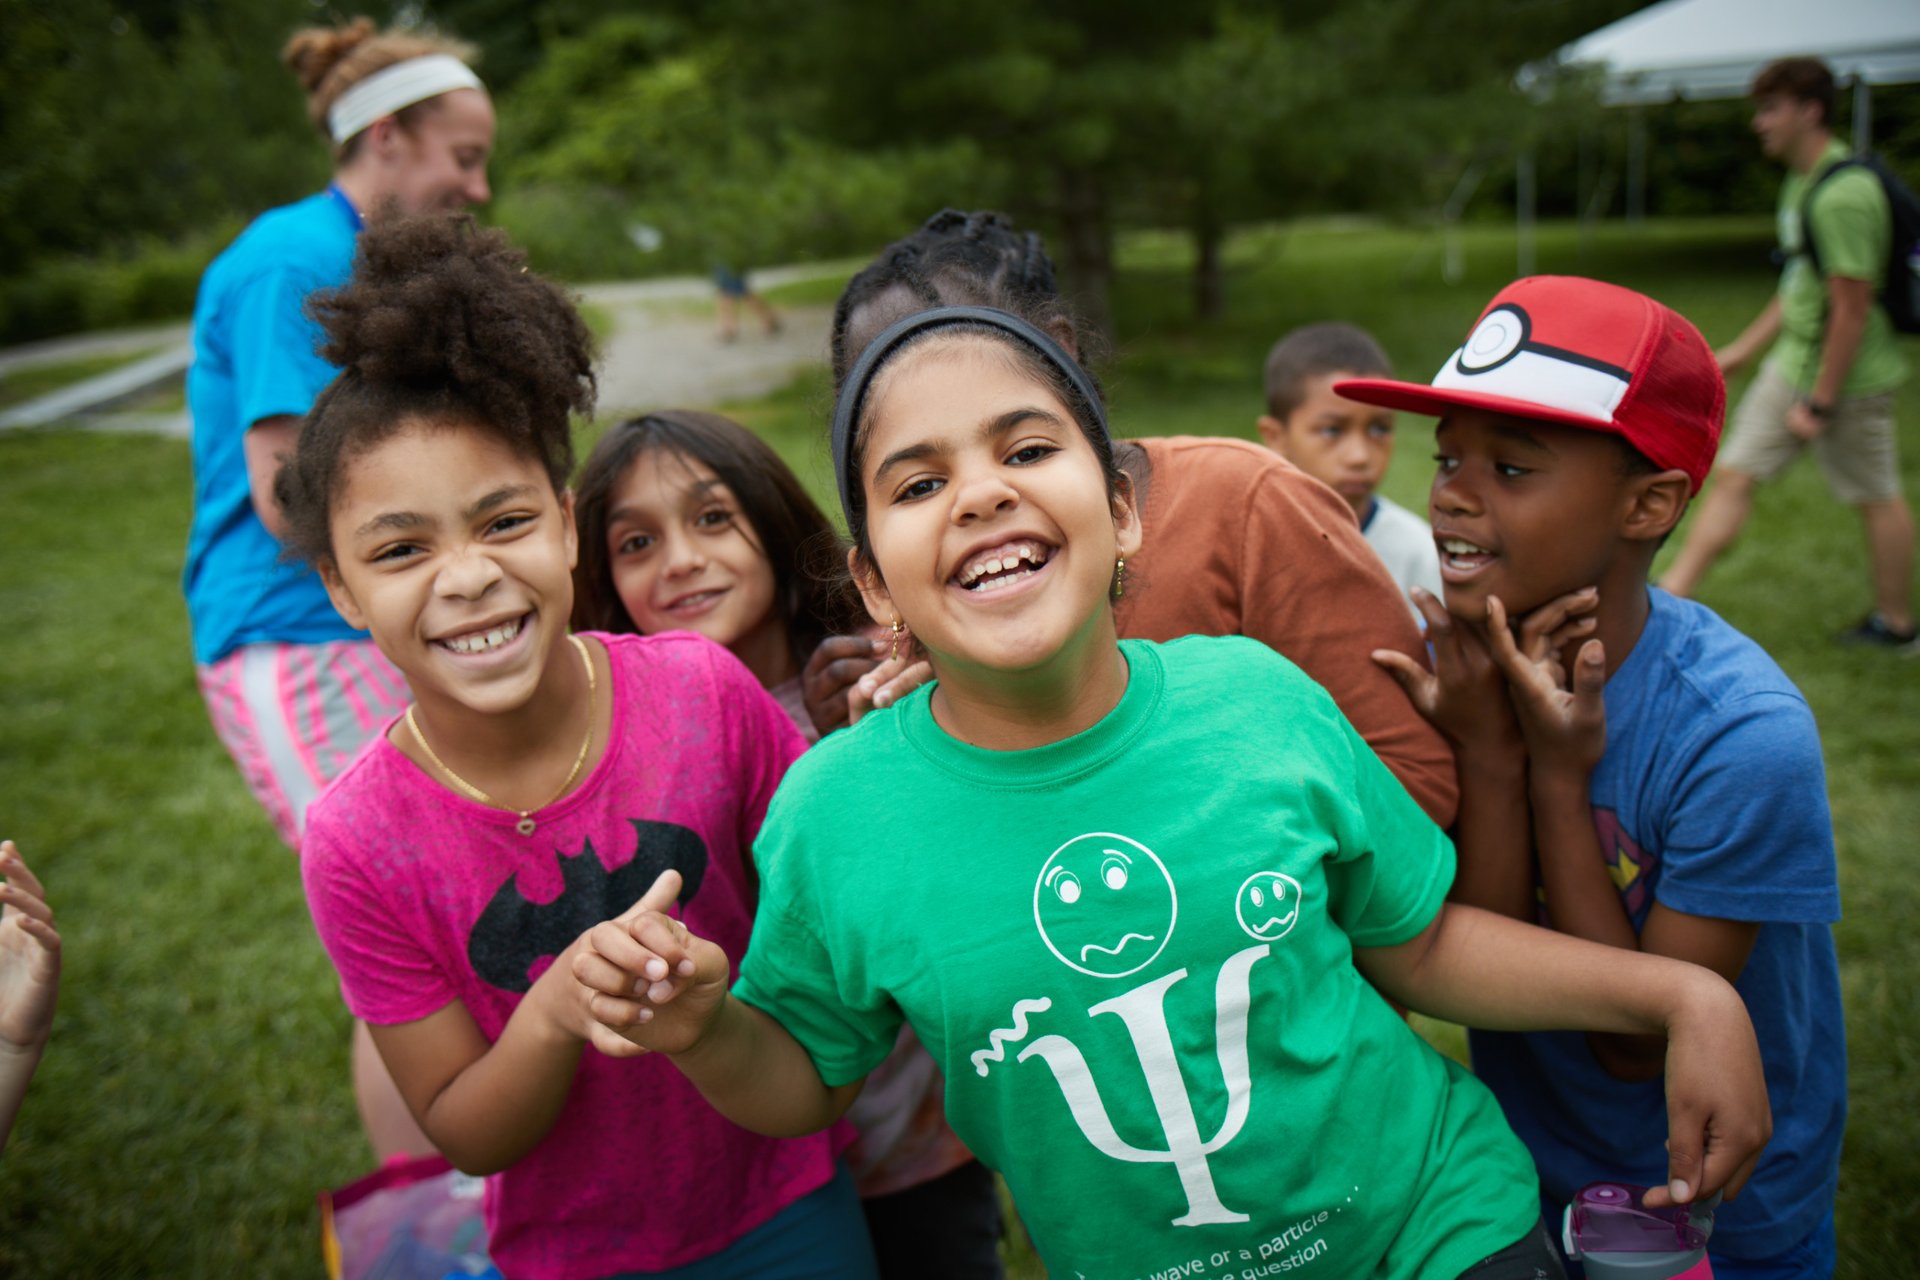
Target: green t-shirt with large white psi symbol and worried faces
(1132, 957)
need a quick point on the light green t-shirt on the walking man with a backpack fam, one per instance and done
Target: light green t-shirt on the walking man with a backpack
(1854, 227)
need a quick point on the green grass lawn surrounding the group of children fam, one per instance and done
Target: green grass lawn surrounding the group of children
(197, 1091)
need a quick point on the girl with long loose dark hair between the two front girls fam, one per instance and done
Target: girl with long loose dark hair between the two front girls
(692, 523)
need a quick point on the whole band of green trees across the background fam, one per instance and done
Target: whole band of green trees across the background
(137, 133)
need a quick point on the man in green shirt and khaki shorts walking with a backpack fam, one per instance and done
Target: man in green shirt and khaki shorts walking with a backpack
(1833, 366)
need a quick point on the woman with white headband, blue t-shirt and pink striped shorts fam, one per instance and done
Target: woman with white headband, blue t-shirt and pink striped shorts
(293, 690)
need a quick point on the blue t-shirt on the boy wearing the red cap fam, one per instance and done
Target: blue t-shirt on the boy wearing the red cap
(1712, 799)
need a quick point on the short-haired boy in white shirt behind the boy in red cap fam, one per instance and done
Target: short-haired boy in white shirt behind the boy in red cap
(1345, 444)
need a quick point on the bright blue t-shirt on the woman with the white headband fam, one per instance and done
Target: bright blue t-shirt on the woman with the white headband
(254, 358)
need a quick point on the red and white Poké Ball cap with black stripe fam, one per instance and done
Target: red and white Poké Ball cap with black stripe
(1581, 354)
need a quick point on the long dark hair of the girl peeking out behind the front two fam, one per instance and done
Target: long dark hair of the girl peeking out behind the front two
(811, 588)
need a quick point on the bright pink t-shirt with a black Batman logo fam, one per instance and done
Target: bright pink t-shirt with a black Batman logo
(425, 897)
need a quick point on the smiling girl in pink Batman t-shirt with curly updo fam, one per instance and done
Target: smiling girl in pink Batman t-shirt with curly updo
(539, 786)
